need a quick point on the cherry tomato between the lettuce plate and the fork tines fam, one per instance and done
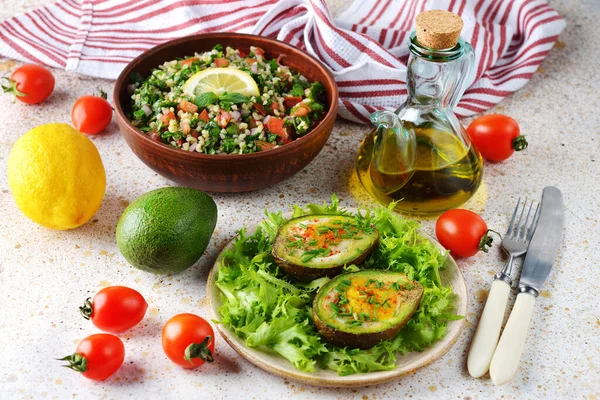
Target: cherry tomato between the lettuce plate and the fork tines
(462, 232)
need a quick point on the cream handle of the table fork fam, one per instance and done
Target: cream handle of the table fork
(488, 331)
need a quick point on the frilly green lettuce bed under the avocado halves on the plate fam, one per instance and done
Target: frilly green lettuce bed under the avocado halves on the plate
(273, 312)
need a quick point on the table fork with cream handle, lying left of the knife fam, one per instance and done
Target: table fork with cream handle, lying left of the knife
(515, 243)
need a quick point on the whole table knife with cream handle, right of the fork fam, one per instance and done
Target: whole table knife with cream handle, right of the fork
(536, 268)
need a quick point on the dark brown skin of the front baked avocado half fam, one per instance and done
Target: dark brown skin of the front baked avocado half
(364, 340)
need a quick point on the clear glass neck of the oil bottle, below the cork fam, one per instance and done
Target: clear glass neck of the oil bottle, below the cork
(435, 77)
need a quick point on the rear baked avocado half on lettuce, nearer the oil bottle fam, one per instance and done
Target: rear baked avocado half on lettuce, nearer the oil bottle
(313, 246)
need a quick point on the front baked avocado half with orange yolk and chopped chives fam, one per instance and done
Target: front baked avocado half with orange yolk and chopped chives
(360, 309)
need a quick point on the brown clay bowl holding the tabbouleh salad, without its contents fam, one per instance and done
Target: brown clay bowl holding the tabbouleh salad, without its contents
(226, 173)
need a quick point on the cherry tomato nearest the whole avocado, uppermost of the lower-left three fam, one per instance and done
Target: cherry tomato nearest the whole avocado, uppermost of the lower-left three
(115, 309)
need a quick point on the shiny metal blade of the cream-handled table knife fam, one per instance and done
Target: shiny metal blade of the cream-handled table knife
(544, 243)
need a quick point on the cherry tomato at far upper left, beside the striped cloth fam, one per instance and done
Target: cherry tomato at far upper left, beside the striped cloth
(30, 83)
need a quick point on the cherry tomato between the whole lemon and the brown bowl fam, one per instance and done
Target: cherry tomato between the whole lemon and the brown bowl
(91, 114)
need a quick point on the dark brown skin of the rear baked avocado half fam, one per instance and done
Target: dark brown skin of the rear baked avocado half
(307, 274)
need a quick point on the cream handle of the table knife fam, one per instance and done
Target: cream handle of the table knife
(508, 353)
